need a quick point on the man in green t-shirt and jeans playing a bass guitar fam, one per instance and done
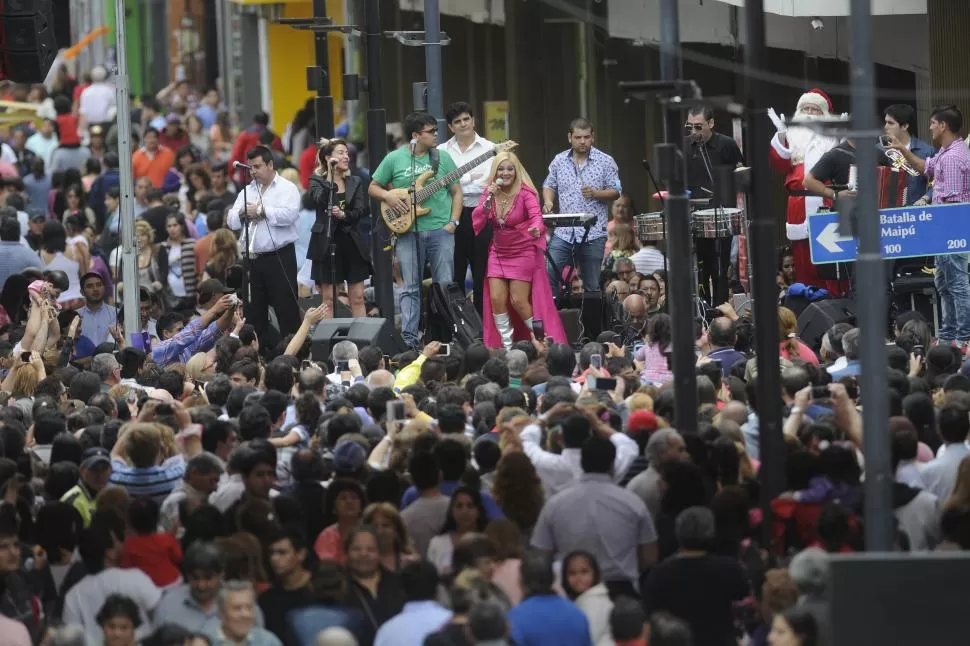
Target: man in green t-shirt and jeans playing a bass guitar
(436, 229)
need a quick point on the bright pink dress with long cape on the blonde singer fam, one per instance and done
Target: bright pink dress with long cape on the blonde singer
(516, 255)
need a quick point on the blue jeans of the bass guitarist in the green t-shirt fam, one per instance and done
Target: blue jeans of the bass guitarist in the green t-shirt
(437, 249)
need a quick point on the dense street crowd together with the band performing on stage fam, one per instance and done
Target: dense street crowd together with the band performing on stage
(206, 480)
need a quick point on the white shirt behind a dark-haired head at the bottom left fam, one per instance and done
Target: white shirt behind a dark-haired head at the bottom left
(85, 599)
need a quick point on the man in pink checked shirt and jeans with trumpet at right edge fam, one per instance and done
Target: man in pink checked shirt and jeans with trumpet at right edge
(949, 170)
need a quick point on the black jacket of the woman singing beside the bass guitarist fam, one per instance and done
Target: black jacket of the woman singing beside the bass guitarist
(357, 208)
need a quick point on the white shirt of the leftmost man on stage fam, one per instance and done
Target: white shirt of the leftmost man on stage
(281, 203)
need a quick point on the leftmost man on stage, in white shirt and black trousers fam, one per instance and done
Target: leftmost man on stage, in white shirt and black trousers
(270, 207)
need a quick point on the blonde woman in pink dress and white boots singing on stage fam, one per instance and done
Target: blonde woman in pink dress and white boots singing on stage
(516, 274)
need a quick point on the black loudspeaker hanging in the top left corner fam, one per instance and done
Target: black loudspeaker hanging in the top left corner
(28, 44)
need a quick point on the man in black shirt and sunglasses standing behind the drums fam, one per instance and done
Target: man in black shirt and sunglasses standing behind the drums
(709, 150)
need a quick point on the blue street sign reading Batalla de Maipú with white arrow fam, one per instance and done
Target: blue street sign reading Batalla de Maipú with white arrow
(906, 232)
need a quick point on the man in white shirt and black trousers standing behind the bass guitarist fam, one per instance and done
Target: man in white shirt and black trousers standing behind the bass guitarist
(464, 146)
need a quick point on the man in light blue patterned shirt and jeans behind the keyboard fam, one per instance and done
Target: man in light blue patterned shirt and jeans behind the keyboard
(586, 180)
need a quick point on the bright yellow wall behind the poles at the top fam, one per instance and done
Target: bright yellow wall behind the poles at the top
(290, 53)
